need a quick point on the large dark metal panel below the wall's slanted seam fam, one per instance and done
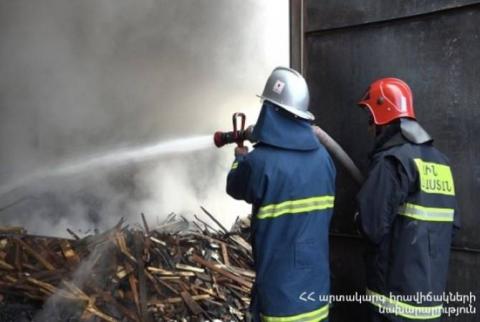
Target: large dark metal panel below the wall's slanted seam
(436, 55)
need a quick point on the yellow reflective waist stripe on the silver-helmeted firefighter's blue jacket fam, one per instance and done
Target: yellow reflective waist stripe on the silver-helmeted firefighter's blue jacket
(296, 206)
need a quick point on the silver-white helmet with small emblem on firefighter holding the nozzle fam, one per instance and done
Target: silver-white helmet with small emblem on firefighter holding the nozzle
(288, 89)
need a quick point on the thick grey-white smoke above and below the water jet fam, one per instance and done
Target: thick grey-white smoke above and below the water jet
(80, 78)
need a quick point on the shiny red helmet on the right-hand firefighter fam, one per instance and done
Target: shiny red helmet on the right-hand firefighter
(388, 99)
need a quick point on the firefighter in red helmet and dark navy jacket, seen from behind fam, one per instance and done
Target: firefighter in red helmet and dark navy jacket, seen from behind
(407, 210)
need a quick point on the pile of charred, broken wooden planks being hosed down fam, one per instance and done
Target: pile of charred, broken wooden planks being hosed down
(179, 271)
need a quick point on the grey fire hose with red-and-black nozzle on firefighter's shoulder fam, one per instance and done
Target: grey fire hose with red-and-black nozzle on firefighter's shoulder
(240, 134)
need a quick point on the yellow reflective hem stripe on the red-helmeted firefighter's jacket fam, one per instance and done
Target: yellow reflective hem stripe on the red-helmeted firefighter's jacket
(403, 309)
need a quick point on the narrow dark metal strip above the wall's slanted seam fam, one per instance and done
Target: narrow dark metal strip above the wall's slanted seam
(329, 14)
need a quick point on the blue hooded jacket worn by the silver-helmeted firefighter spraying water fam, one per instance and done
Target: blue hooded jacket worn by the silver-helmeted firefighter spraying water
(289, 178)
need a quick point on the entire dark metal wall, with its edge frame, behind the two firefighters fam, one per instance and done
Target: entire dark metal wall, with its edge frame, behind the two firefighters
(434, 45)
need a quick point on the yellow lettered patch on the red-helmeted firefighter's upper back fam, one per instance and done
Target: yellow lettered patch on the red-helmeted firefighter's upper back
(435, 178)
